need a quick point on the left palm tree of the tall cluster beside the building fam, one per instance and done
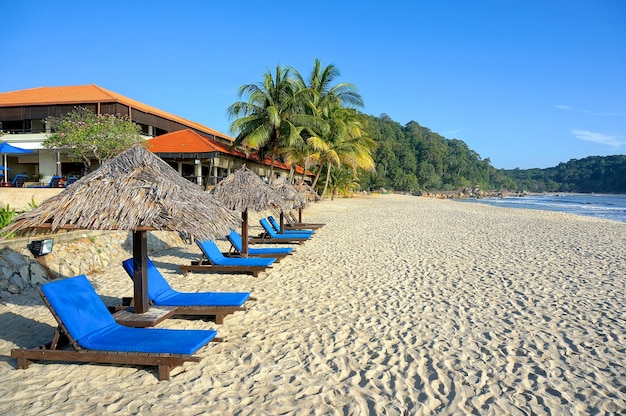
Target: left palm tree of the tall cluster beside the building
(267, 121)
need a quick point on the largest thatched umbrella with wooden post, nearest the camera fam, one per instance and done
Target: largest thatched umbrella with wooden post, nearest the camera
(138, 192)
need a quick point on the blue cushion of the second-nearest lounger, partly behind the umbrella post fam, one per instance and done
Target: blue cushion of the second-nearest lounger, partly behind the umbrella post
(162, 294)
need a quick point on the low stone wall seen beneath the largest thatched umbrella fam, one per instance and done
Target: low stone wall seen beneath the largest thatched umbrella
(72, 254)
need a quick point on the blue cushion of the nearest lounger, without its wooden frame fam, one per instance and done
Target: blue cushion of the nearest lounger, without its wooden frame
(89, 323)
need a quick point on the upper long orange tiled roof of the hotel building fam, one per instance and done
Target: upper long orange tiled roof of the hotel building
(90, 94)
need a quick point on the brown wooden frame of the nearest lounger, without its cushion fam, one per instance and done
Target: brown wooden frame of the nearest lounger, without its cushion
(55, 351)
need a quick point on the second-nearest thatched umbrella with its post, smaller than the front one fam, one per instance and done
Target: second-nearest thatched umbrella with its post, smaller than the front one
(244, 190)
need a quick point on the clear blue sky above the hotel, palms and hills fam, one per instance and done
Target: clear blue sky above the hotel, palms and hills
(526, 83)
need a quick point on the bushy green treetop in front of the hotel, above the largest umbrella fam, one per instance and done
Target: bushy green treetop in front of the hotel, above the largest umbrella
(86, 135)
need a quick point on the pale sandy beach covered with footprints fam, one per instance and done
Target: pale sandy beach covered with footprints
(400, 305)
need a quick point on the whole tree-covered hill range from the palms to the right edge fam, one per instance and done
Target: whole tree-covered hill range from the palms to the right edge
(411, 158)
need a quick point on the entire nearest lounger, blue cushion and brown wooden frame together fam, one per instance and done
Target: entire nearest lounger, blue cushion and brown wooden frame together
(88, 328)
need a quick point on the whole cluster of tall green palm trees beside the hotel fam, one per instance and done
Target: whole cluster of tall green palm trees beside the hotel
(309, 122)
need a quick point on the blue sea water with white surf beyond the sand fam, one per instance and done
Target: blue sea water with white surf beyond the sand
(610, 207)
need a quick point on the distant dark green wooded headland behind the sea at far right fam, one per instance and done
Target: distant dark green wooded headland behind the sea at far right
(592, 174)
